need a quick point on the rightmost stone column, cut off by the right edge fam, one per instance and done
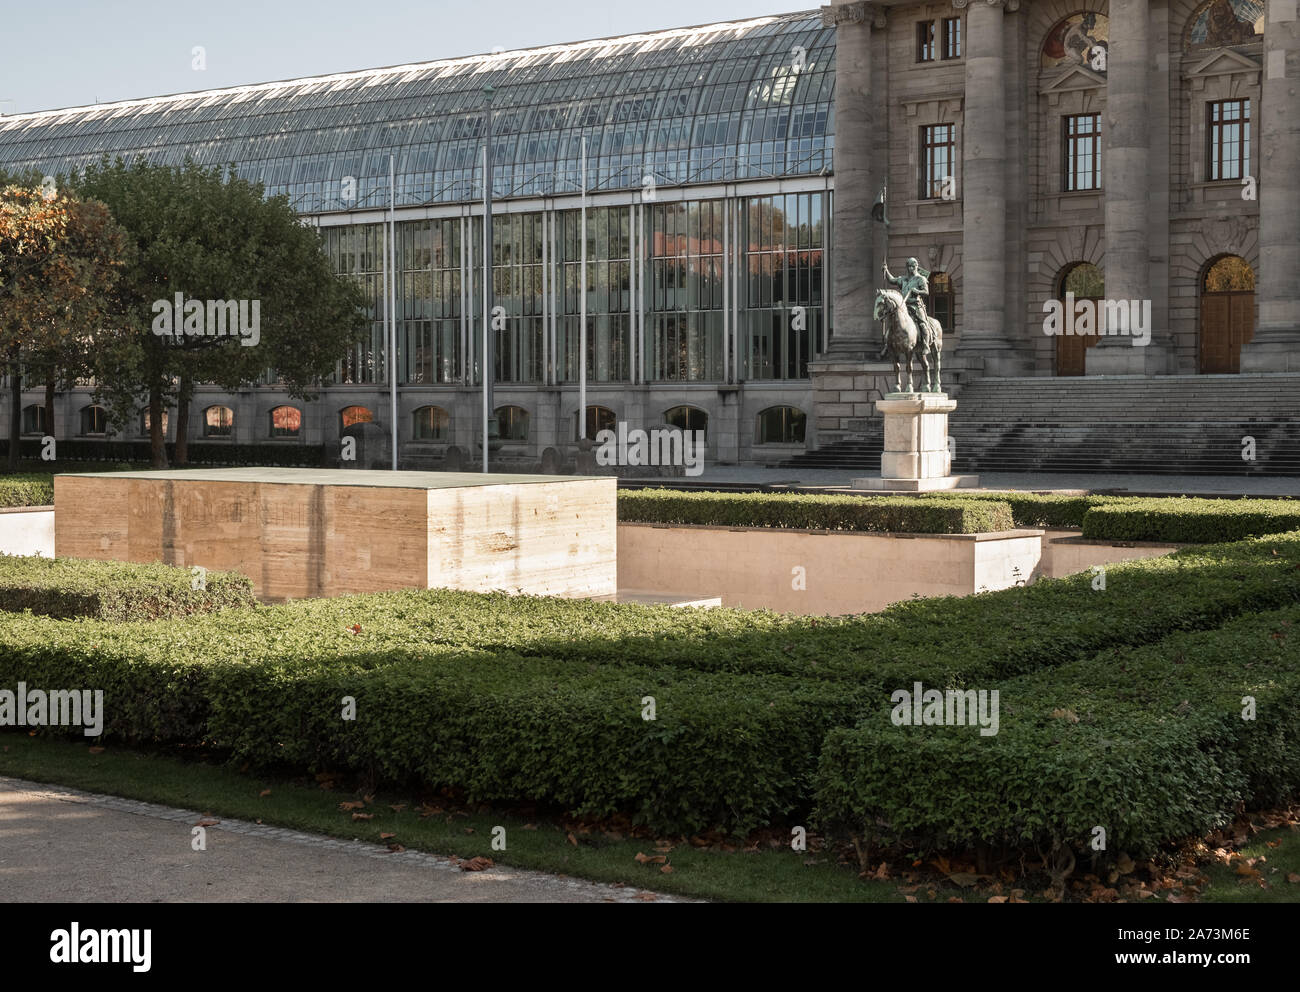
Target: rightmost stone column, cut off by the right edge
(1276, 346)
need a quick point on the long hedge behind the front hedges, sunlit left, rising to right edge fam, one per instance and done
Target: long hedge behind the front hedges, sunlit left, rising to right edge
(991, 635)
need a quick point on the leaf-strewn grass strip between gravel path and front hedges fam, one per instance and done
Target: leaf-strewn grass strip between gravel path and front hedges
(1256, 861)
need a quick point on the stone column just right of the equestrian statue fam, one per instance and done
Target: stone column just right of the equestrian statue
(983, 190)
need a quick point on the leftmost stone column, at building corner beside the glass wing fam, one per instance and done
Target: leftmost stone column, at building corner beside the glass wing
(855, 185)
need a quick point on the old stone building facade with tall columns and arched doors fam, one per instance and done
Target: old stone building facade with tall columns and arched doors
(1149, 141)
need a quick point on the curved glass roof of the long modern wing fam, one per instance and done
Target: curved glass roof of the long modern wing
(738, 101)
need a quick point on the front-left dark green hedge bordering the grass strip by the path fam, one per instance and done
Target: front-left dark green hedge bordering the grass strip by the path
(727, 751)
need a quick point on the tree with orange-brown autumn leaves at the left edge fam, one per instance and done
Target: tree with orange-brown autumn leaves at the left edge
(60, 258)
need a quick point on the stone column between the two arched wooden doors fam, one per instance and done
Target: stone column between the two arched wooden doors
(1126, 179)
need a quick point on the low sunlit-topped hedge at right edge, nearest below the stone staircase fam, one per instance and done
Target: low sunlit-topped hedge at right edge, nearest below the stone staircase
(1190, 521)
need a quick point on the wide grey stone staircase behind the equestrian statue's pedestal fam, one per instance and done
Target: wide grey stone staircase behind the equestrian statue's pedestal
(1107, 424)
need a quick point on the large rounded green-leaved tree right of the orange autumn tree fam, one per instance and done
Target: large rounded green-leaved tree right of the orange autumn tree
(207, 240)
